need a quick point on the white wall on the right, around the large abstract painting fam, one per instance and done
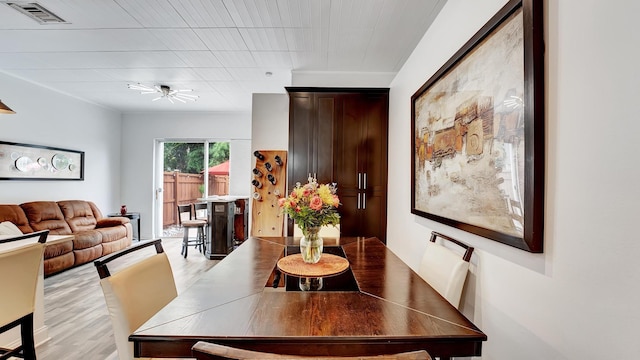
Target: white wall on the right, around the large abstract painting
(578, 300)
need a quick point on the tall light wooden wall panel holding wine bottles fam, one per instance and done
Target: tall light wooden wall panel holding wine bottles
(266, 217)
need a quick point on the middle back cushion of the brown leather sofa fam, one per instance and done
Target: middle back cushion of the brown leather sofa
(46, 215)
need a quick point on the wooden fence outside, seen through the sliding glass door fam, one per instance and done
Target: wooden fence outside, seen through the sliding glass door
(181, 188)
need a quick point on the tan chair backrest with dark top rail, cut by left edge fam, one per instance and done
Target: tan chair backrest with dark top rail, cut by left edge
(19, 269)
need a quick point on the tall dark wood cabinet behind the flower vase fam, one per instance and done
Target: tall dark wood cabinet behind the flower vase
(340, 135)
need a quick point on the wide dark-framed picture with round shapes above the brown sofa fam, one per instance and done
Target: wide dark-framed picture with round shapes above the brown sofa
(36, 162)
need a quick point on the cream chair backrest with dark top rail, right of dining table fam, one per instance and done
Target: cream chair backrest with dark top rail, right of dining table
(444, 269)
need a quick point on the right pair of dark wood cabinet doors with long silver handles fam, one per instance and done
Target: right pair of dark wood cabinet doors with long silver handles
(361, 164)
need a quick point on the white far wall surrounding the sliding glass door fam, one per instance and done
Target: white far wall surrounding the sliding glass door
(140, 132)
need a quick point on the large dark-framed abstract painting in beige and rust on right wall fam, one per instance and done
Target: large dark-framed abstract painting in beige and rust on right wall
(478, 133)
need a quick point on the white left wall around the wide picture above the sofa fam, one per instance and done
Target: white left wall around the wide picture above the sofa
(45, 117)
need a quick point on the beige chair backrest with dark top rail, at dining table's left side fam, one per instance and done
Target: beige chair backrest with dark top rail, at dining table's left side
(136, 292)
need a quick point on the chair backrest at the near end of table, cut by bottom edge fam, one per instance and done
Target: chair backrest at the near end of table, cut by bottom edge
(207, 351)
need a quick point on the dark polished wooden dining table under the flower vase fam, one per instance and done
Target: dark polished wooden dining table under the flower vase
(388, 308)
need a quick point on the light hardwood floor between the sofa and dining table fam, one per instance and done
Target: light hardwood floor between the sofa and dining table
(76, 313)
